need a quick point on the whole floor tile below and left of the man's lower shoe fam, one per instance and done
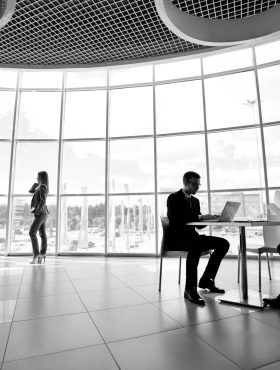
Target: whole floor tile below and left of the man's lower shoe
(128, 322)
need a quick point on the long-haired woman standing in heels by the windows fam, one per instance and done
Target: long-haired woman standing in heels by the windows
(40, 210)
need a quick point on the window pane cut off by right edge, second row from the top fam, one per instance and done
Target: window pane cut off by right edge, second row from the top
(269, 82)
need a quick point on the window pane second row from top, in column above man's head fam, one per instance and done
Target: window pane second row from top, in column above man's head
(179, 107)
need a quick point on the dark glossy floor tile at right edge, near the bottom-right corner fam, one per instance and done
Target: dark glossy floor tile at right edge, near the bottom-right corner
(248, 342)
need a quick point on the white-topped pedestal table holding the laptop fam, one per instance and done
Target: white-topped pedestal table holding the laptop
(243, 297)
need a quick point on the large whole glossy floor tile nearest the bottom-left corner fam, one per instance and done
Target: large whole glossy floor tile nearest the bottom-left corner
(49, 335)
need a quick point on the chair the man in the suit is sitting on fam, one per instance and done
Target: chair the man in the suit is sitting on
(164, 252)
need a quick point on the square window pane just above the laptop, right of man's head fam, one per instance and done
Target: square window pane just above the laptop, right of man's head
(235, 159)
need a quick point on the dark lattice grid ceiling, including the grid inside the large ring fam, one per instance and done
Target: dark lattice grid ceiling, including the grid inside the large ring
(60, 33)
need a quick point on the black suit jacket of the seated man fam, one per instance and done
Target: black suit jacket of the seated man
(179, 212)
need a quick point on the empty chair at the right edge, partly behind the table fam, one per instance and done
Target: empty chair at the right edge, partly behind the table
(271, 237)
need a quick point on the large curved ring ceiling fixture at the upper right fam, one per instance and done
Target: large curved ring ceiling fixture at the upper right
(219, 32)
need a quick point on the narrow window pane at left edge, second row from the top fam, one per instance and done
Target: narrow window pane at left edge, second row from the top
(7, 106)
